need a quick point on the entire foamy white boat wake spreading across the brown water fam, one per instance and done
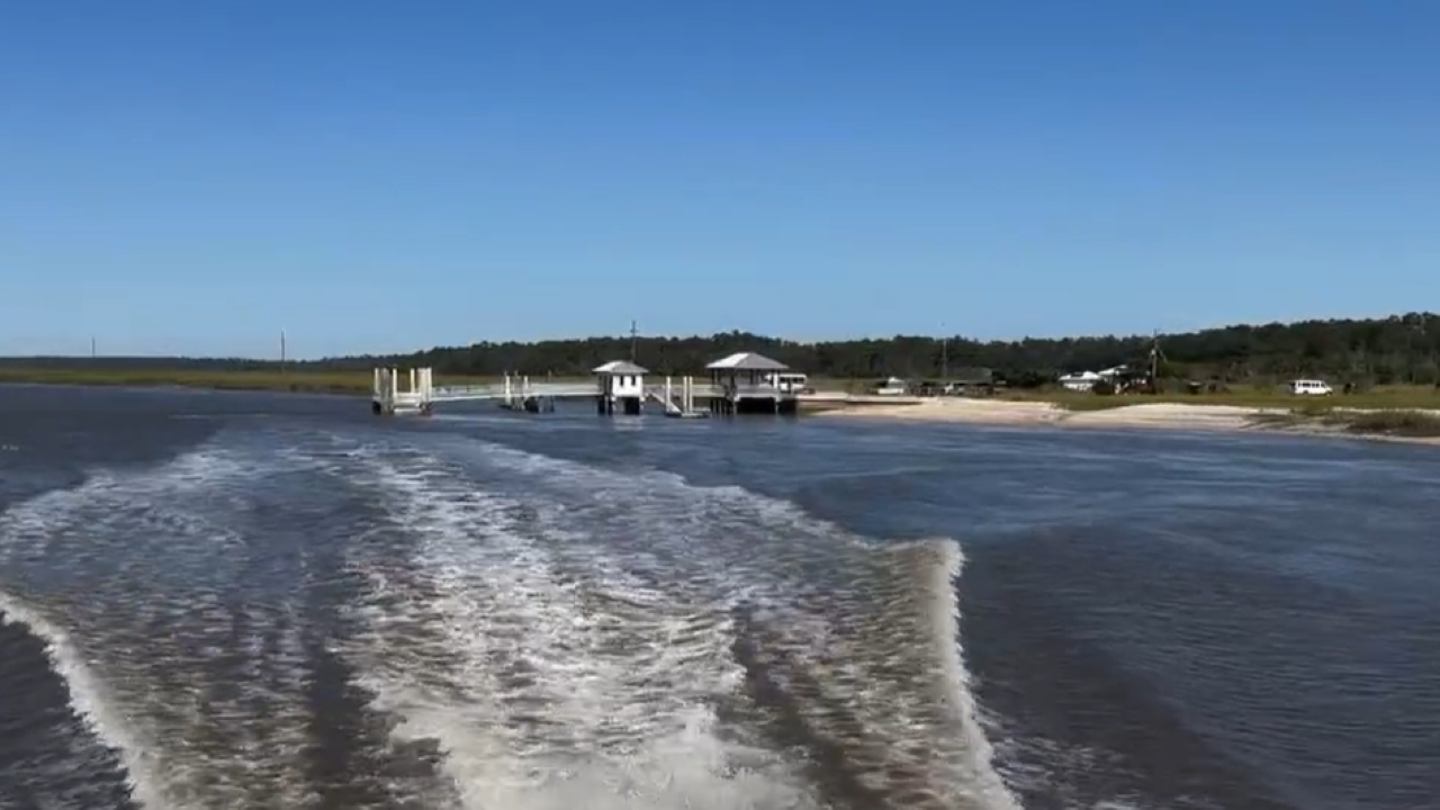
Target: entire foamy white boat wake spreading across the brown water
(348, 625)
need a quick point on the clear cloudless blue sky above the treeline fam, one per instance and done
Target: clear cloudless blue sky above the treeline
(195, 177)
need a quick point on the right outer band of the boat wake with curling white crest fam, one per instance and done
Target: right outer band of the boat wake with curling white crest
(774, 548)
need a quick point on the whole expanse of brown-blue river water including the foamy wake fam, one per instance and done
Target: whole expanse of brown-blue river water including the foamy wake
(280, 602)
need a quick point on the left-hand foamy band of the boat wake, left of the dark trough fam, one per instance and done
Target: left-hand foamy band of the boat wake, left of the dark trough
(158, 558)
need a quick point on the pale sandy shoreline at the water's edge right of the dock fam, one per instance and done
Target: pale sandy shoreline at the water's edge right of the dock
(1146, 416)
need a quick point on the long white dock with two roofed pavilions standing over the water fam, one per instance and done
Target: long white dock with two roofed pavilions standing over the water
(741, 384)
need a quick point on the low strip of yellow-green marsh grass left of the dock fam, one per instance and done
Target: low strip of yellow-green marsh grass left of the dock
(260, 380)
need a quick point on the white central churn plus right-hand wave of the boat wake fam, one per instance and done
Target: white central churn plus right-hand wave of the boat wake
(737, 625)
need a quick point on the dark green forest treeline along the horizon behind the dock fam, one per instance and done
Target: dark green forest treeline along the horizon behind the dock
(1400, 350)
